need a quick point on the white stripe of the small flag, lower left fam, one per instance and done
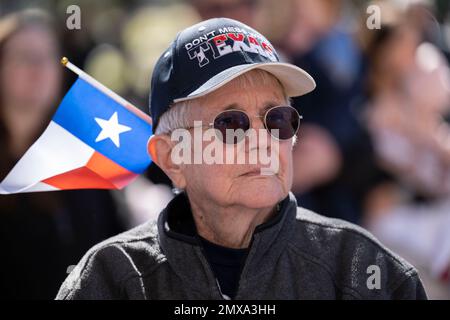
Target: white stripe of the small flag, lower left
(56, 151)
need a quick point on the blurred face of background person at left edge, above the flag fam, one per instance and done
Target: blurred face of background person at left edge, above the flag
(30, 74)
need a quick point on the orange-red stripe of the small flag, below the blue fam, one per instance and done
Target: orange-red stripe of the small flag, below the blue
(99, 173)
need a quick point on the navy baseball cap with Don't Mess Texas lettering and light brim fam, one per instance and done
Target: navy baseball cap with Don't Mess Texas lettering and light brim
(206, 56)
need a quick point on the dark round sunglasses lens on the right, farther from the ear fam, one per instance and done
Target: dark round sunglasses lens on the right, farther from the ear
(285, 119)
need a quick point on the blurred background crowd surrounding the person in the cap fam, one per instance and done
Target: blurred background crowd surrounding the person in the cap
(373, 148)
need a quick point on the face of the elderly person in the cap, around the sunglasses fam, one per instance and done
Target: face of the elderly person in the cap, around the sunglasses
(242, 184)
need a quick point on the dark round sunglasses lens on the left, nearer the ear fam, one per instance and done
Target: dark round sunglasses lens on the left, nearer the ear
(232, 125)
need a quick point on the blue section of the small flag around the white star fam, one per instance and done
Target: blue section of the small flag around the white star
(80, 113)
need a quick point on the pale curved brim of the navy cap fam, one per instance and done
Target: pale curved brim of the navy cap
(296, 81)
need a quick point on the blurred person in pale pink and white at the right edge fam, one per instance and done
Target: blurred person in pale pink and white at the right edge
(407, 103)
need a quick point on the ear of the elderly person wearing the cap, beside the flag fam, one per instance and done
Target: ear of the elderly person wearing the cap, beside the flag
(160, 149)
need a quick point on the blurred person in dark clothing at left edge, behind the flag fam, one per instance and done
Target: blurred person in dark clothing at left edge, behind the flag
(42, 233)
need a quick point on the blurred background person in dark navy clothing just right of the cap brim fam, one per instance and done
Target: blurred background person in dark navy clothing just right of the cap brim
(319, 36)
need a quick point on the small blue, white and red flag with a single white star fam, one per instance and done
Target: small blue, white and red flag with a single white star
(92, 142)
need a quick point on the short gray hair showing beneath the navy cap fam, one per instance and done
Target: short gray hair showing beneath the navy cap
(177, 115)
